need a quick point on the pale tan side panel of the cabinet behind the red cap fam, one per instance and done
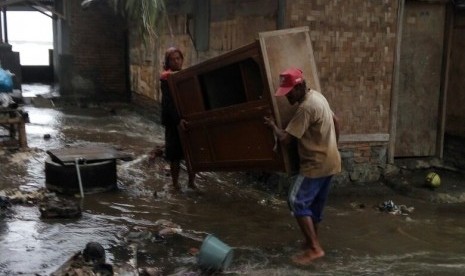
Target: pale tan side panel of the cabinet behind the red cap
(281, 50)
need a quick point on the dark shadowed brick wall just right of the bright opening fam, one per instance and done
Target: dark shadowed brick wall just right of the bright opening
(97, 45)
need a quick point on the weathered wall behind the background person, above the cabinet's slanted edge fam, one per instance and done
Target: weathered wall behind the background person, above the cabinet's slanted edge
(232, 24)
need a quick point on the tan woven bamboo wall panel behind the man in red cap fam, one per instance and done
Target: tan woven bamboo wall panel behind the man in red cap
(354, 47)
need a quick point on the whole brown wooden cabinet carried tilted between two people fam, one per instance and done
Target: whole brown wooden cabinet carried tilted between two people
(224, 100)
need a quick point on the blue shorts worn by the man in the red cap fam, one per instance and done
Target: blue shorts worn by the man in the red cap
(307, 196)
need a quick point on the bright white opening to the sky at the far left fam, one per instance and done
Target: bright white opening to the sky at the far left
(30, 34)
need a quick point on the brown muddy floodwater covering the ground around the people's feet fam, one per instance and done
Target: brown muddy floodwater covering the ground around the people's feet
(357, 238)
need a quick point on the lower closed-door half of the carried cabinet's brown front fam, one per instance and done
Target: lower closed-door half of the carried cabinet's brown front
(232, 139)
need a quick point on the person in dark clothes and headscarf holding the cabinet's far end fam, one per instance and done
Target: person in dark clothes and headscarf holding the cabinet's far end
(170, 119)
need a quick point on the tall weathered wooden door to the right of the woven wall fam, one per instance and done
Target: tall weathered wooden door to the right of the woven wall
(420, 79)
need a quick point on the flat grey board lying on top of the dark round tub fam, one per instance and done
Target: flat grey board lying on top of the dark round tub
(87, 153)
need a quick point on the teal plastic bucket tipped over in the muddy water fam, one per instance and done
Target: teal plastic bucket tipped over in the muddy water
(214, 254)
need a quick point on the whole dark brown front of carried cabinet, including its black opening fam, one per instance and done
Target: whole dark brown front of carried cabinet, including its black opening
(224, 100)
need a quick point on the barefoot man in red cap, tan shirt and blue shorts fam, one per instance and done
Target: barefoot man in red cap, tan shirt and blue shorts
(316, 128)
